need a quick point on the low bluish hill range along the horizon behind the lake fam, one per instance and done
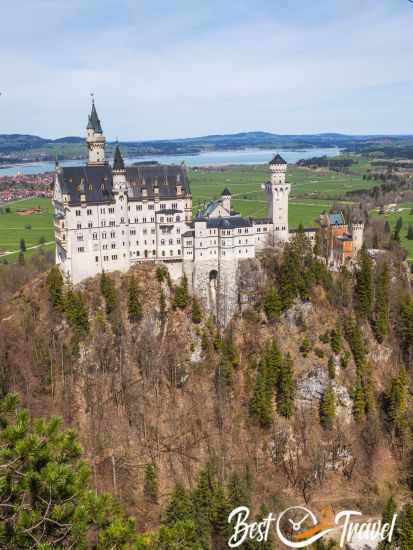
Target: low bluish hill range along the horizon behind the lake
(24, 146)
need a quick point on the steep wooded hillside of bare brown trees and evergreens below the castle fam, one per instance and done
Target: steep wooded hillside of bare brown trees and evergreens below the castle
(304, 398)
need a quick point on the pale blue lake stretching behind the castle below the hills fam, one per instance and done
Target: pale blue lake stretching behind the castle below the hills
(208, 158)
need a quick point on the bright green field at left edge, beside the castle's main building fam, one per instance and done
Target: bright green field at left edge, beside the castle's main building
(14, 227)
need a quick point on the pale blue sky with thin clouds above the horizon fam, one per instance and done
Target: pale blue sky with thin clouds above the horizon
(182, 68)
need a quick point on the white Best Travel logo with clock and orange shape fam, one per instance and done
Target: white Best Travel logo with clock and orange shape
(299, 527)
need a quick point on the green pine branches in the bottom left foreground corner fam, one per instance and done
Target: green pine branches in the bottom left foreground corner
(45, 485)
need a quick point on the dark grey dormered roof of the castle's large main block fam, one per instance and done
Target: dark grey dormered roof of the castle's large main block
(97, 182)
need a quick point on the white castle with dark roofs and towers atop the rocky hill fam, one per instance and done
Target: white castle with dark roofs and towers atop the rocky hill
(108, 218)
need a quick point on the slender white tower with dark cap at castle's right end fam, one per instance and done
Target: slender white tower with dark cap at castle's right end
(278, 191)
